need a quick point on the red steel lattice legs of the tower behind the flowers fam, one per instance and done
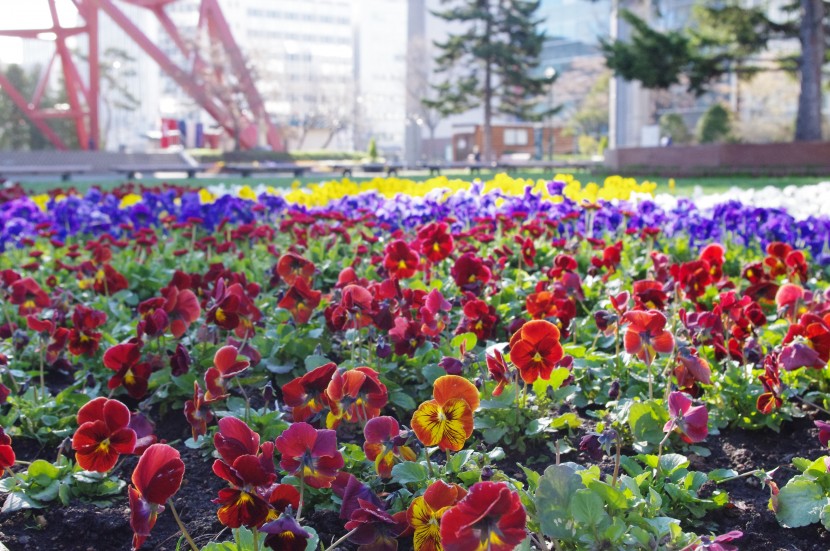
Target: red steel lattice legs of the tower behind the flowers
(225, 90)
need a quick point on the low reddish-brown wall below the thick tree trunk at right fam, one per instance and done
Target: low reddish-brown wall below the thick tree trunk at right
(780, 158)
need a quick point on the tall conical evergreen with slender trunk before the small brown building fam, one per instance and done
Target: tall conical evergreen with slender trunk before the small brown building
(491, 62)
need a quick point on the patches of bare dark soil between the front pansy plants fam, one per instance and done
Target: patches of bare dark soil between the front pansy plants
(85, 527)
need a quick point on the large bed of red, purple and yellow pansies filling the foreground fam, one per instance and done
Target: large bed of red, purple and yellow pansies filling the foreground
(511, 364)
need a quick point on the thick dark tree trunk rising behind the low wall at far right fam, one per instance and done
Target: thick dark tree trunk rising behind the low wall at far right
(811, 34)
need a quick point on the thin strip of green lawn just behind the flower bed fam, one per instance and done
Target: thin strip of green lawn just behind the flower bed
(683, 186)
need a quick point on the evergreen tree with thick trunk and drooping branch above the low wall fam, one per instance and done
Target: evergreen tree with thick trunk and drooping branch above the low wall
(726, 38)
